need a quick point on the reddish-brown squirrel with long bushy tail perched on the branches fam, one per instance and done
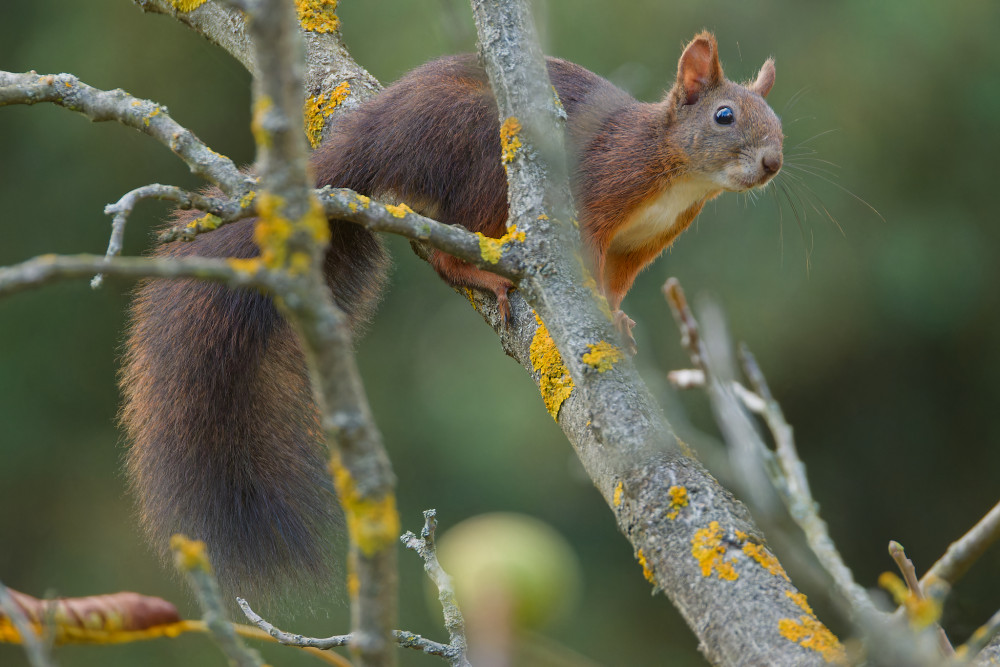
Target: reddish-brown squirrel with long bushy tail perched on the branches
(226, 444)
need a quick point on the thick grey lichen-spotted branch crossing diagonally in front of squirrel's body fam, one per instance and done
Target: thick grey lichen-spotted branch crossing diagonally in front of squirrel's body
(692, 539)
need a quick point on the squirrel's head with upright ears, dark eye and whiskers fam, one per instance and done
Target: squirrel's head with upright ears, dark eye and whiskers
(724, 130)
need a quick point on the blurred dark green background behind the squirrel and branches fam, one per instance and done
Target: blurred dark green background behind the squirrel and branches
(880, 341)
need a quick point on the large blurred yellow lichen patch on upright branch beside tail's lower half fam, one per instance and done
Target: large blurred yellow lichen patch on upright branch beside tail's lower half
(372, 522)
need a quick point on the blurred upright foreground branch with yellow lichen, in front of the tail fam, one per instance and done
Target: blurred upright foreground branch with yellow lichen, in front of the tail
(292, 232)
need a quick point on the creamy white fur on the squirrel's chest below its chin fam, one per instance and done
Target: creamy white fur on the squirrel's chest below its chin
(655, 219)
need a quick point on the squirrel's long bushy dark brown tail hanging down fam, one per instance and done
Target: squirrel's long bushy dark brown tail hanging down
(225, 441)
